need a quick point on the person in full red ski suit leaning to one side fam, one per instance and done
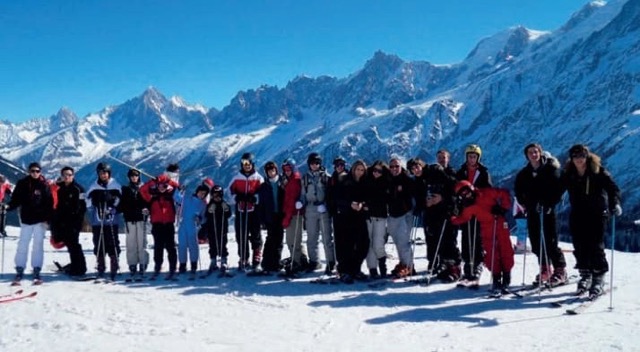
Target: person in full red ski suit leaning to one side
(489, 206)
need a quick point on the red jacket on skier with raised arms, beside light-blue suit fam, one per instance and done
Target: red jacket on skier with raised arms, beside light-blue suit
(162, 206)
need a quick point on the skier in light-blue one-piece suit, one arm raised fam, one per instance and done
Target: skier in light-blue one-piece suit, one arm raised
(190, 220)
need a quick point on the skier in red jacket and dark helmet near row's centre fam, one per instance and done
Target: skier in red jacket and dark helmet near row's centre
(292, 220)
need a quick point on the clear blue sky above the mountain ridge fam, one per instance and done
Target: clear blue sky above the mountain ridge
(89, 54)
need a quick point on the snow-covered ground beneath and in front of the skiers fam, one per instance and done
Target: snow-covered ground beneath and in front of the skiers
(267, 313)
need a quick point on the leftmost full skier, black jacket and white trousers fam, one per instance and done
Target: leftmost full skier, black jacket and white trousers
(33, 196)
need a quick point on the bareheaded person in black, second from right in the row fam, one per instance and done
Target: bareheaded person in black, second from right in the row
(538, 190)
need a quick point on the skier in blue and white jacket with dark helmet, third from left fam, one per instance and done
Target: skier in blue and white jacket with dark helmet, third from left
(103, 197)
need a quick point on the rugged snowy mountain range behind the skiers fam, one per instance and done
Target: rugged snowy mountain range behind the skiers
(575, 84)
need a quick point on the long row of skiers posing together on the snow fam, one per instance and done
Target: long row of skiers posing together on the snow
(352, 212)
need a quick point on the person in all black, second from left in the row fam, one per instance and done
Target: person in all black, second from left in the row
(68, 218)
